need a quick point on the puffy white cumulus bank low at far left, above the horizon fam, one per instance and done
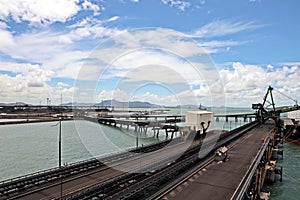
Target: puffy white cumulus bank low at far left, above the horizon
(30, 83)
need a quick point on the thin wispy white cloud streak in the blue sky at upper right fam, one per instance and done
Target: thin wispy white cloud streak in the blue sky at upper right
(224, 27)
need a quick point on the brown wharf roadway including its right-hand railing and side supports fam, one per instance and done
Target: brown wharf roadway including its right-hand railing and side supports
(227, 180)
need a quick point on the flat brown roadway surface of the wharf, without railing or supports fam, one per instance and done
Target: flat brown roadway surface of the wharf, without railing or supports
(219, 181)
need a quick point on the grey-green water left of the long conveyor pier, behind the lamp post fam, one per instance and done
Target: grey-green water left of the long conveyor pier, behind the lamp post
(27, 148)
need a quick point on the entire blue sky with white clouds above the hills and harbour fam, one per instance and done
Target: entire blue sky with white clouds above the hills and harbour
(167, 52)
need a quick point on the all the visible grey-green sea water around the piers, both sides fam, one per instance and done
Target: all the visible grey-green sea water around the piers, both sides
(27, 148)
